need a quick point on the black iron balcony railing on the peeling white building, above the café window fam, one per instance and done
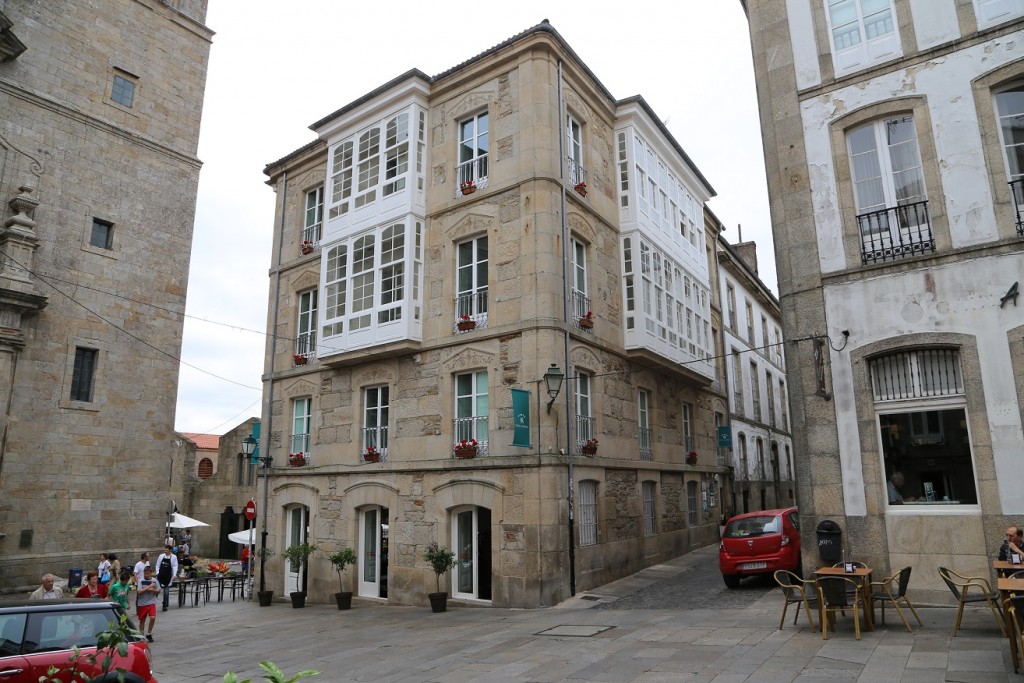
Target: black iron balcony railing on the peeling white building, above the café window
(894, 234)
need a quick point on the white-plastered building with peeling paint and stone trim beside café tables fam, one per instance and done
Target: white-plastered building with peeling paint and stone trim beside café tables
(892, 139)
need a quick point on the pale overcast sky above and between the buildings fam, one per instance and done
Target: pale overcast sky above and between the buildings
(277, 68)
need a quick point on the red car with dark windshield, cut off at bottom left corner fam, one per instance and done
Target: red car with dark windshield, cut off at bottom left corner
(38, 634)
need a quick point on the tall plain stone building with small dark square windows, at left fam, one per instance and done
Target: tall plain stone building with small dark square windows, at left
(99, 179)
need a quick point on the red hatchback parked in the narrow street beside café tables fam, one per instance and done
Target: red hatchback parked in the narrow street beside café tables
(759, 543)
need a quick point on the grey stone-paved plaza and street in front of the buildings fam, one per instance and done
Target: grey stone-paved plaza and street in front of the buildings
(606, 635)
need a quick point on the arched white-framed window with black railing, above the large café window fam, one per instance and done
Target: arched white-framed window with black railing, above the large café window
(889, 190)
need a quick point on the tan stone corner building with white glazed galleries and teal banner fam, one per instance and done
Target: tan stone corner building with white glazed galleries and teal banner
(446, 241)
